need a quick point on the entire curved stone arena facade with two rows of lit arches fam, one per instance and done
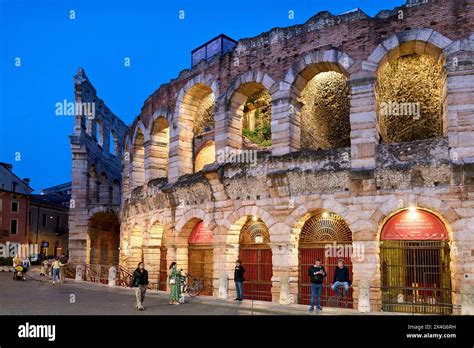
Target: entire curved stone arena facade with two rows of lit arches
(345, 137)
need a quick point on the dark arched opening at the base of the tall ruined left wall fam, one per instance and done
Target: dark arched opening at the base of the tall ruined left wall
(104, 236)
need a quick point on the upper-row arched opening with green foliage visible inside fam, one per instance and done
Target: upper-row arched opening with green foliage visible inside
(251, 107)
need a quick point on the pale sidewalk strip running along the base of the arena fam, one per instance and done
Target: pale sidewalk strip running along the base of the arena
(258, 307)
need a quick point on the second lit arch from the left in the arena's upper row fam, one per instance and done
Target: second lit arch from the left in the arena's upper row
(157, 149)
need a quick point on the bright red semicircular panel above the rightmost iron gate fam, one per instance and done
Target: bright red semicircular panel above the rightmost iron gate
(414, 225)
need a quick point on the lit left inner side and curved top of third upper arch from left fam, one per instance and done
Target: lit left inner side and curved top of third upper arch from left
(190, 97)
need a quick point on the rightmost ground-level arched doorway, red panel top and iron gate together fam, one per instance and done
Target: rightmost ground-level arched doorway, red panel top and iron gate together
(414, 259)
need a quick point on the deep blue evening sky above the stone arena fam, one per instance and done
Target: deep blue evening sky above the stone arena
(51, 48)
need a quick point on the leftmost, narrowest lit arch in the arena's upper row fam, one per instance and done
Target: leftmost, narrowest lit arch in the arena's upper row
(138, 155)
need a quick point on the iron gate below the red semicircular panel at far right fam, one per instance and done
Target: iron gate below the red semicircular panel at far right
(416, 277)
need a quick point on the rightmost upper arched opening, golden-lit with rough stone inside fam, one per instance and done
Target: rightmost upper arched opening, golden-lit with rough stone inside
(411, 93)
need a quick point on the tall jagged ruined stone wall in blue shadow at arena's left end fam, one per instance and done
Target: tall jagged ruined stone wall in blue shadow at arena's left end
(96, 172)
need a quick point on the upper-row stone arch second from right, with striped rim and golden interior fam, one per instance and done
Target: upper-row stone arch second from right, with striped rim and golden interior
(317, 77)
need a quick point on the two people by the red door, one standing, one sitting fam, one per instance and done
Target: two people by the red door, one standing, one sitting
(317, 273)
